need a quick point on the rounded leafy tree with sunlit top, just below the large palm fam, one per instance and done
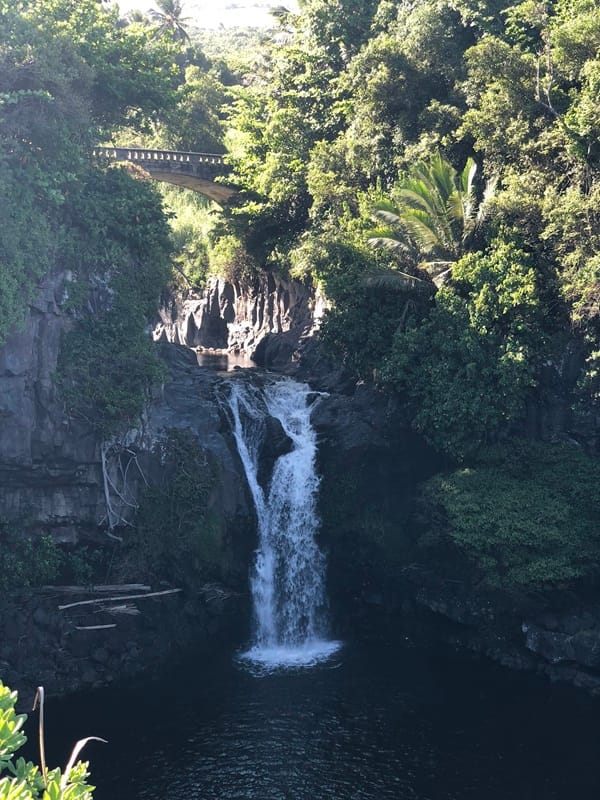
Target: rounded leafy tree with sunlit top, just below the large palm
(466, 368)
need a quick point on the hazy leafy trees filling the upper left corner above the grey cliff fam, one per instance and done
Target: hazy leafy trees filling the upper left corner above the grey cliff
(67, 76)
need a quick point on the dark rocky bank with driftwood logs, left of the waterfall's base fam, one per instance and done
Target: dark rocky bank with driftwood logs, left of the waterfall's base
(90, 646)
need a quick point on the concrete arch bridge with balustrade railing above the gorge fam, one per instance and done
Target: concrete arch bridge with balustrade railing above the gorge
(195, 171)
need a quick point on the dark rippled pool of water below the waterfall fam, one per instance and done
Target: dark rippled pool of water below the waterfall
(380, 721)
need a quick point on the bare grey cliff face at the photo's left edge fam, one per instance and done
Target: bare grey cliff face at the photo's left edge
(49, 466)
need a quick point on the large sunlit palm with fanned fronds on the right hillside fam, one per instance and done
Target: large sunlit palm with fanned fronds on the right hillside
(436, 215)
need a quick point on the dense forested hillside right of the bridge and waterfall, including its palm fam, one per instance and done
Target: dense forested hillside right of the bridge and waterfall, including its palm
(434, 167)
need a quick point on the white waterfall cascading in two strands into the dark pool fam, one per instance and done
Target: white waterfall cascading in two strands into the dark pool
(289, 573)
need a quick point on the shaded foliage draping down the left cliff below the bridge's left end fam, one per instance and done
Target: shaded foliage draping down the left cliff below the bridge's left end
(120, 249)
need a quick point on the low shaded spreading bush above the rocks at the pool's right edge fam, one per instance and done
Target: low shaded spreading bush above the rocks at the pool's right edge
(527, 515)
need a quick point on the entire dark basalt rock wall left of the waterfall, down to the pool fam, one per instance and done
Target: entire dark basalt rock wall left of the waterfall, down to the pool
(51, 482)
